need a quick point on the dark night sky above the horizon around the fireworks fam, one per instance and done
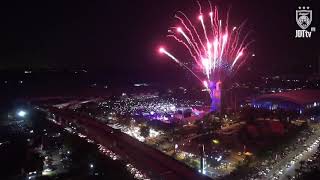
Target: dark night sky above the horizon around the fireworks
(123, 36)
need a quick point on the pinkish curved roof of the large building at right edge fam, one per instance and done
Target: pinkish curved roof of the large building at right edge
(300, 97)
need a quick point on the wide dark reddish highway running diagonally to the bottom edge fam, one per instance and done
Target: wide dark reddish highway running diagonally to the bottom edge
(155, 163)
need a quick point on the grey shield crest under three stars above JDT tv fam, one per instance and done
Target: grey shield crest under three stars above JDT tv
(304, 17)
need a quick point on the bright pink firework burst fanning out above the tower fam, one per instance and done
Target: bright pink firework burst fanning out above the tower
(217, 49)
